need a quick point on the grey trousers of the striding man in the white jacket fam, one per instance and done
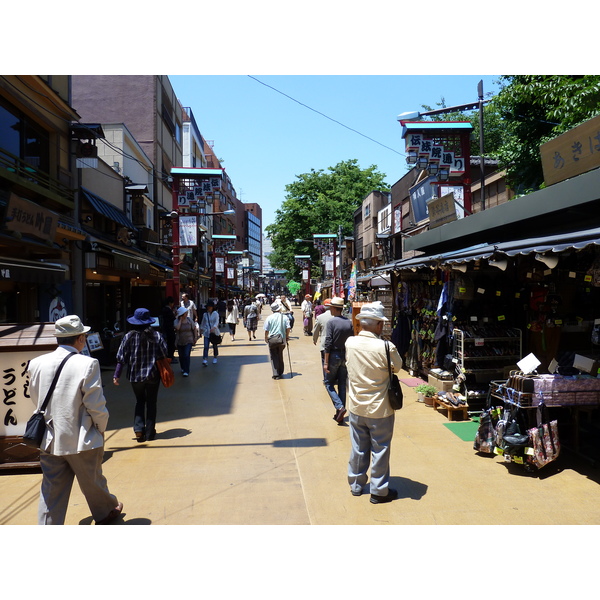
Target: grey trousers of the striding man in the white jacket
(58, 474)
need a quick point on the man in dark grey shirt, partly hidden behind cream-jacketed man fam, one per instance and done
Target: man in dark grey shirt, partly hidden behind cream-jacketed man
(337, 330)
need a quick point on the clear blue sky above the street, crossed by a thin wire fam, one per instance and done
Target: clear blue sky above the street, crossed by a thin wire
(267, 139)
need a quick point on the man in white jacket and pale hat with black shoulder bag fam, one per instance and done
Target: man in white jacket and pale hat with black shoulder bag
(76, 419)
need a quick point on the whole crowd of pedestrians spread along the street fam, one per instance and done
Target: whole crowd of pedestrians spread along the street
(354, 367)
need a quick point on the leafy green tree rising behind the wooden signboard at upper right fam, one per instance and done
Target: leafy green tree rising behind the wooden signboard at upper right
(535, 109)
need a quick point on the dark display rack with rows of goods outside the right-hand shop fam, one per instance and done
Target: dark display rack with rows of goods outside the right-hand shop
(485, 354)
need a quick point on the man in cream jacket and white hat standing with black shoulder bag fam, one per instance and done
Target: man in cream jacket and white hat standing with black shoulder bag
(371, 416)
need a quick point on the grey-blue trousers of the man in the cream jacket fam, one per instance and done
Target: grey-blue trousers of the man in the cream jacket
(370, 443)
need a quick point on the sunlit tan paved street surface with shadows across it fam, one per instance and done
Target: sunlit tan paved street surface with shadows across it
(235, 447)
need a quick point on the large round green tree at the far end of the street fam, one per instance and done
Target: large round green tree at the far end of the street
(319, 202)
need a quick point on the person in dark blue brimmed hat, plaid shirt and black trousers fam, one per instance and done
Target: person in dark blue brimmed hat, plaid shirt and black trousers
(139, 350)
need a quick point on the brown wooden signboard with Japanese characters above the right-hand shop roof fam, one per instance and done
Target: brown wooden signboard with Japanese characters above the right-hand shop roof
(572, 153)
